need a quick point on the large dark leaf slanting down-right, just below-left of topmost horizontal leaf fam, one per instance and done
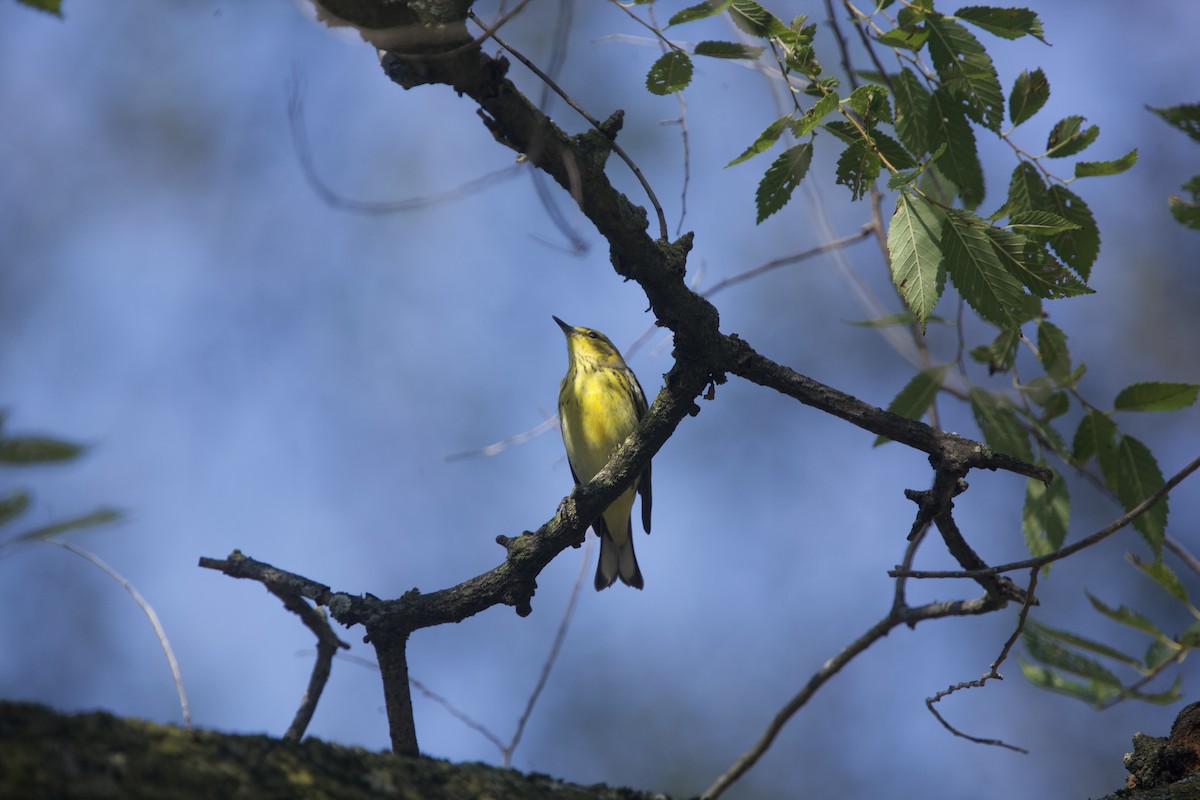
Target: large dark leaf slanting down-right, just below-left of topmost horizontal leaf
(967, 71)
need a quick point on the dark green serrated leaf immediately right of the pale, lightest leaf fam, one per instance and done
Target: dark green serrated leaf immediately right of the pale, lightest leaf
(976, 270)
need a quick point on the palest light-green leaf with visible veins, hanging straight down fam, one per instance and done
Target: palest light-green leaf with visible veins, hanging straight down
(916, 256)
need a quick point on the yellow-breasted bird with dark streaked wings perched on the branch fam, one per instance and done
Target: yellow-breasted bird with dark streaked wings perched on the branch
(599, 405)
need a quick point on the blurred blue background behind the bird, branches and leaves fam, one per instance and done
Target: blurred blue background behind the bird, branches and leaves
(255, 369)
